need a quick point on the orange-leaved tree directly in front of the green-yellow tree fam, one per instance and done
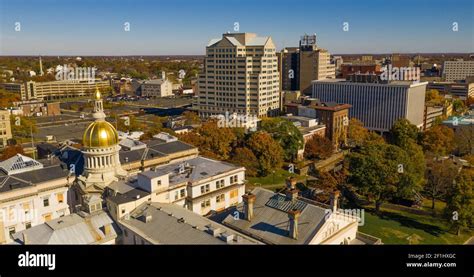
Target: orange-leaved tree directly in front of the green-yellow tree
(269, 153)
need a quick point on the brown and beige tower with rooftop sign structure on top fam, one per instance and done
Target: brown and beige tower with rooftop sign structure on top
(315, 63)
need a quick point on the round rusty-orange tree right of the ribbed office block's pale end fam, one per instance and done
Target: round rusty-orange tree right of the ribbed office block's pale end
(438, 140)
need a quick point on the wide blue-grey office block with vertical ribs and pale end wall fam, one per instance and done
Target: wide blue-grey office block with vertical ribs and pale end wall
(377, 105)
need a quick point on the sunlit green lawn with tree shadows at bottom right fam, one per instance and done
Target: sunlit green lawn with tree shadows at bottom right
(401, 227)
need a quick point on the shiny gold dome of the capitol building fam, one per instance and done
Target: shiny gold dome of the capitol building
(100, 134)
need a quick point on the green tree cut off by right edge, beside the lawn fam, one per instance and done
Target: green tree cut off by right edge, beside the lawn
(459, 209)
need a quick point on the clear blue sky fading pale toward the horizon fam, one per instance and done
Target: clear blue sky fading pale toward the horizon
(184, 27)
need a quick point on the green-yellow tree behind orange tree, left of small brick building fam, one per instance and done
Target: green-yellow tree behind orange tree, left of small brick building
(286, 133)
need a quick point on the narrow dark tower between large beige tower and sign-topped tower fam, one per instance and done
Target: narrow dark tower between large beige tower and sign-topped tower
(289, 67)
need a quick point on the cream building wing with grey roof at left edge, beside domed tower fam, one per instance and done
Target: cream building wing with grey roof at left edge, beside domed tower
(32, 193)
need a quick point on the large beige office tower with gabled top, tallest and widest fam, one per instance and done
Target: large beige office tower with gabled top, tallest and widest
(240, 76)
